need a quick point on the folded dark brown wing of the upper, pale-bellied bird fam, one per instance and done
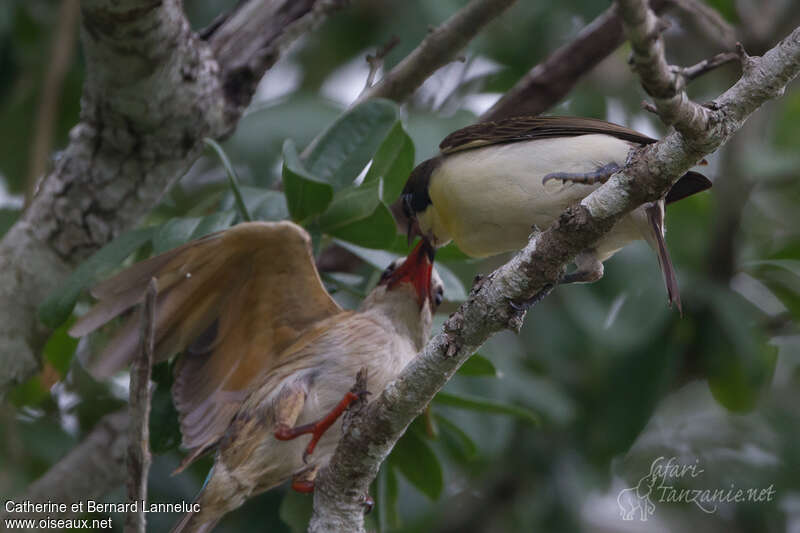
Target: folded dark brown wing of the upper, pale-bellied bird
(528, 128)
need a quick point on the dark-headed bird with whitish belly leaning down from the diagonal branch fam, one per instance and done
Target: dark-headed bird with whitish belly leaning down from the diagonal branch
(493, 184)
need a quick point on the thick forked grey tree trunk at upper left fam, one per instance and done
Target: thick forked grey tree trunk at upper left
(153, 91)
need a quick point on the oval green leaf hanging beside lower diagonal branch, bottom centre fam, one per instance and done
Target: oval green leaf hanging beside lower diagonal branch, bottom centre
(415, 459)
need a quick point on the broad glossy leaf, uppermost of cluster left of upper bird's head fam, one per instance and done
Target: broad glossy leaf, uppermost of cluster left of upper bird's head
(342, 151)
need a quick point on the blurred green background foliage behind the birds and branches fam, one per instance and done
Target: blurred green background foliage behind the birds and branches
(542, 430)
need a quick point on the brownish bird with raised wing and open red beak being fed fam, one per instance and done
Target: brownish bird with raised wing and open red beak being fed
(267, 355)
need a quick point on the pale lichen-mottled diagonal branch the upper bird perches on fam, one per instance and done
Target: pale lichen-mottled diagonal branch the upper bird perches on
(648, 176)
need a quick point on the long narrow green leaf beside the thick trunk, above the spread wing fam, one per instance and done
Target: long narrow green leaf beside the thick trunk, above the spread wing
(58, 306)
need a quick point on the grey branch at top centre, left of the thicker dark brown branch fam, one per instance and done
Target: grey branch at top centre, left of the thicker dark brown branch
(441, 46)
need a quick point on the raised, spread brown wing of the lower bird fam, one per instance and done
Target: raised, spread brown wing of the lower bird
(231, 301)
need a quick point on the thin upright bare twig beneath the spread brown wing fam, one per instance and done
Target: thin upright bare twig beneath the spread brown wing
(138, 444)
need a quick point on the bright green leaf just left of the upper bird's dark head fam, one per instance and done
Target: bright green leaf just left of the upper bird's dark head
(392, 164)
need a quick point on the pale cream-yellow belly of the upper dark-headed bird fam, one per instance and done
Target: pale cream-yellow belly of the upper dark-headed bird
(487, 200)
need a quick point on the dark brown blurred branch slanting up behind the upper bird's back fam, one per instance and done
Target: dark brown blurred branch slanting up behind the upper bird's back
(551, 80)
